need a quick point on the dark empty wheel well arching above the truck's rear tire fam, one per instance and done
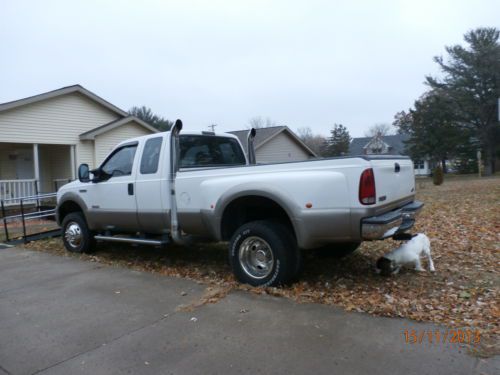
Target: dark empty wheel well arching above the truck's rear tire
(250, 208)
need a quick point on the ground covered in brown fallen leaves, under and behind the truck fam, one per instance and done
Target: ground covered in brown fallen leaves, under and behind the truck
(462, 219)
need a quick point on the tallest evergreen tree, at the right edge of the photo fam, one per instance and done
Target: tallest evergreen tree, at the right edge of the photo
(472, 81)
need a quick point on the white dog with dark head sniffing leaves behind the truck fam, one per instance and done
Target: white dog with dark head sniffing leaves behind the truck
(408, 253)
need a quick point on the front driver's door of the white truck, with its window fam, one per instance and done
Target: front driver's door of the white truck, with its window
(112, 201)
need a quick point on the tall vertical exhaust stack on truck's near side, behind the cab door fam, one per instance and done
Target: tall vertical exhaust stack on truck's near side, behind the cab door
(175, 231)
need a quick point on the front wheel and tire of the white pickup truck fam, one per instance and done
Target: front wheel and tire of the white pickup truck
(77, 237)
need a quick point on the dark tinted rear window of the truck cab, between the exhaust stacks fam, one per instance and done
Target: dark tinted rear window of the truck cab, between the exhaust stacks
(209, 151)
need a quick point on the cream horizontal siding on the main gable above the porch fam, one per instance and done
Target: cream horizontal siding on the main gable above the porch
(58, 120)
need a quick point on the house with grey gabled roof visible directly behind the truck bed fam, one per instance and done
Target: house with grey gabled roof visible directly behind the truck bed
(276, 144)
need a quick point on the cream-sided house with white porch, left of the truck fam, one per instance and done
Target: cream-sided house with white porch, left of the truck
(43, 138)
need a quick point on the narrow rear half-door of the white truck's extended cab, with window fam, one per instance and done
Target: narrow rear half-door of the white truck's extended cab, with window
(151, 187)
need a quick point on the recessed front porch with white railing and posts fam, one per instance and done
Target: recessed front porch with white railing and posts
(30, 169)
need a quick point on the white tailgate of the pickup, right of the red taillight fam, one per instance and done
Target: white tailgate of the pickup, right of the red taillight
(394, 179)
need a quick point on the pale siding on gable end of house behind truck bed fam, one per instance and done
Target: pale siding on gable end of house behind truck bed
(280, 149)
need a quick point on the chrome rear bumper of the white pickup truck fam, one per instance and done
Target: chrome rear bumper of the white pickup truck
(390, 223)
